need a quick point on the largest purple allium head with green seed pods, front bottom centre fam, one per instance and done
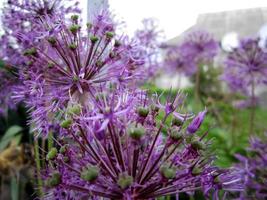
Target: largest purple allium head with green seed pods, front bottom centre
(119, 151)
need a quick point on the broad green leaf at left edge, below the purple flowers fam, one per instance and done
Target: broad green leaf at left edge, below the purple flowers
(13, 133)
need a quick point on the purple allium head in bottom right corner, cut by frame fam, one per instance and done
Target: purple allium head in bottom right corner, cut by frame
(253, 167)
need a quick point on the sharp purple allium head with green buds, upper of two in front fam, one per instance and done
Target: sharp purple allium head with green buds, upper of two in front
(71, 63)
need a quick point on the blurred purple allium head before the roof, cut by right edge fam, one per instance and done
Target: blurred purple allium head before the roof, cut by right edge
(245, 66)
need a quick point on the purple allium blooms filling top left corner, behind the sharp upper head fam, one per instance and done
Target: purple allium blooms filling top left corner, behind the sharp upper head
(20, 18)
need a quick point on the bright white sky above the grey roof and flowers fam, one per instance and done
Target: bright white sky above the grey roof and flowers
(174, 16)
